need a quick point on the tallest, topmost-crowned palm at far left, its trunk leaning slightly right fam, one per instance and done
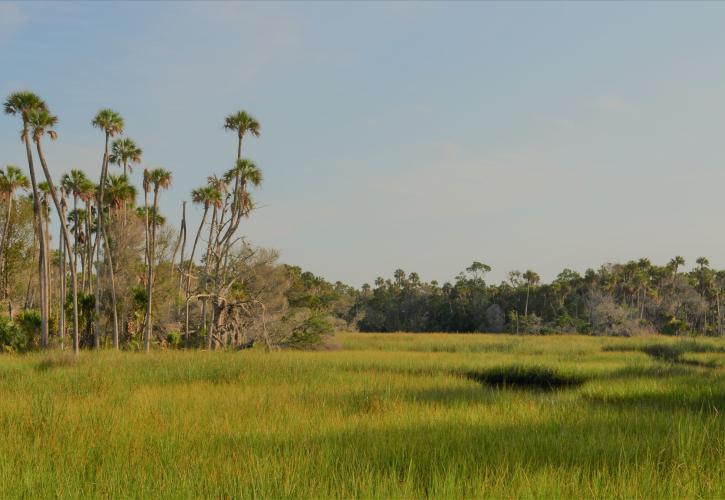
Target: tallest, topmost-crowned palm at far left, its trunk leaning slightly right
(24, 103)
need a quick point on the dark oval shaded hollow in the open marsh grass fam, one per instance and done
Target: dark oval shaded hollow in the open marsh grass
(525, 377)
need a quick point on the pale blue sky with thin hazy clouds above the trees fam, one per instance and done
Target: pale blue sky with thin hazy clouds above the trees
(421, 136)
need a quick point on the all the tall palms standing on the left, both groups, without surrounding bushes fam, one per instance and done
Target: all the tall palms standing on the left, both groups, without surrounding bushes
(89, 215)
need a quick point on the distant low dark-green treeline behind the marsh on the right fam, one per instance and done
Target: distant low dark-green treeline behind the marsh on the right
(617, 299)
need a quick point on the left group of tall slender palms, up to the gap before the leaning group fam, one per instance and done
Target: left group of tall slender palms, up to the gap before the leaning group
(113, 194)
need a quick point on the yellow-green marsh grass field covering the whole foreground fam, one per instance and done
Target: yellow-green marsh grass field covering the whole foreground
(394, 415)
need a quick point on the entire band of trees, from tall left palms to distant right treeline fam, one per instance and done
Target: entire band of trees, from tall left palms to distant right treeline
(118, 274)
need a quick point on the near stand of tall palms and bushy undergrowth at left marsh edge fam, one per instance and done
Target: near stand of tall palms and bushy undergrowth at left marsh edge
(117, 274)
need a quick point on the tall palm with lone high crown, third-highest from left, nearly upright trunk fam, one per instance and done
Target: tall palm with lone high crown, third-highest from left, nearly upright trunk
(111, 123)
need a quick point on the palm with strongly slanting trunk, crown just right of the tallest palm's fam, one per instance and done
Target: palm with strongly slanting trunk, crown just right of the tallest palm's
(42, 123)
